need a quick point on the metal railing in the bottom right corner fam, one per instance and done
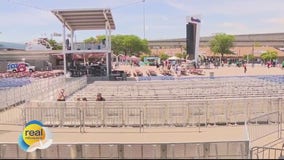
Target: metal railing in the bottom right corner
(266, 153)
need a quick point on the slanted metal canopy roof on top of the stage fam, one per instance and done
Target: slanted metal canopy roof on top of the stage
(85, 19)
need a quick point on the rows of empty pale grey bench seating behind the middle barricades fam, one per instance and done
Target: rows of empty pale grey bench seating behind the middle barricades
(193, 89)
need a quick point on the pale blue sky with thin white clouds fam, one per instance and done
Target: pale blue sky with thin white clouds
(25, 20)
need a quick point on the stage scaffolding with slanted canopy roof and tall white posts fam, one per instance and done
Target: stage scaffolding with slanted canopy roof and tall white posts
(86, 19)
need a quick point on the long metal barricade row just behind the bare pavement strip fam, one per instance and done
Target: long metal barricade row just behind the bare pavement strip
(147, 113)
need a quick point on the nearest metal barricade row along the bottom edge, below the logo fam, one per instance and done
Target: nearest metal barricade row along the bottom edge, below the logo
(200, 150)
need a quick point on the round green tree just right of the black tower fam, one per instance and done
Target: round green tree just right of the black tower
(221, 44)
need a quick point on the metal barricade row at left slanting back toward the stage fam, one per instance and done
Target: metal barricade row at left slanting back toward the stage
(40, 90)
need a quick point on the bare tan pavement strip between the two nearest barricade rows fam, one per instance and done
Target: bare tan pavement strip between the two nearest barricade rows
(9, 133)
